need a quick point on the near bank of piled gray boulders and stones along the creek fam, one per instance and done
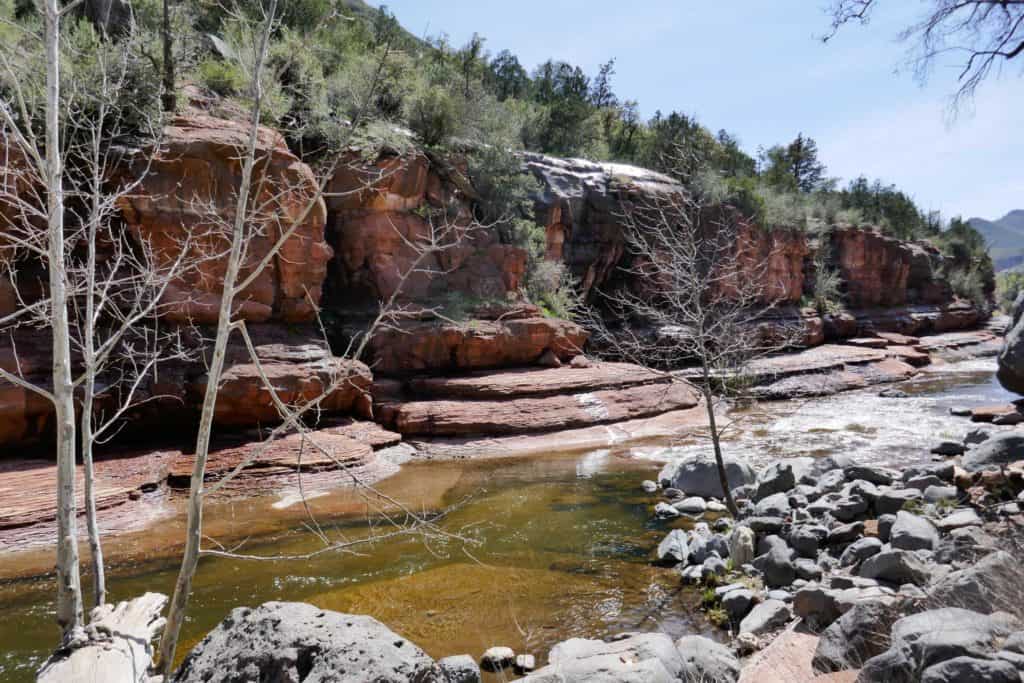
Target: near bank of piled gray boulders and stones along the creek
(837, 572)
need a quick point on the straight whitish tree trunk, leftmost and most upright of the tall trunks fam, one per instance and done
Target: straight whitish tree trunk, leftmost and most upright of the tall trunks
(69, 582)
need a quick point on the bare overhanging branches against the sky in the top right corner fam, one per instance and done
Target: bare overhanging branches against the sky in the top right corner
(983, 35)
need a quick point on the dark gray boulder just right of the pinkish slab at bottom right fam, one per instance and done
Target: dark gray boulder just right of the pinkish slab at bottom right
(857, 637)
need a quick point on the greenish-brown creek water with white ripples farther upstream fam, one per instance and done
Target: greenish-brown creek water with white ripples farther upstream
(549, 547)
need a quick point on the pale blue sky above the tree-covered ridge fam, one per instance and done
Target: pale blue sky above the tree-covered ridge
(757, 69)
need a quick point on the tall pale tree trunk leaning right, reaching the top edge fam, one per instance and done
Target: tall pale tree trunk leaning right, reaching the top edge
(194, 534)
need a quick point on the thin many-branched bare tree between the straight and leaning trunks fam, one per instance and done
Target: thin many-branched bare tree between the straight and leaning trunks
(112, 285)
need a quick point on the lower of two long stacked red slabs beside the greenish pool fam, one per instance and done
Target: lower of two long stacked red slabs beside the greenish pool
(463, 418)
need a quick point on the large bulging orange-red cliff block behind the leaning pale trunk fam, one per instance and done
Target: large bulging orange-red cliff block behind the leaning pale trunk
(190, 191)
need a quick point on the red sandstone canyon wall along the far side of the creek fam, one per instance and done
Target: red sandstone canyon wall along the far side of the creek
(353, 248)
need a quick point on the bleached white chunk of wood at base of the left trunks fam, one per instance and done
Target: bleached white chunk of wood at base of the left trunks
(119, 649)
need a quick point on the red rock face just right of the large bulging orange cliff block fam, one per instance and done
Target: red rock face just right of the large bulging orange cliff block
(378, 211)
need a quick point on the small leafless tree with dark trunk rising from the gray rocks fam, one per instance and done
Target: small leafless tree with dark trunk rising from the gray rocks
(696, 292)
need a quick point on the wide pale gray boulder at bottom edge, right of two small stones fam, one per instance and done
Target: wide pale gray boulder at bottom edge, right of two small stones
(649, 658)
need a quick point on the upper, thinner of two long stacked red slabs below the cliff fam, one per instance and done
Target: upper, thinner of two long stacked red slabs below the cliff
(537, 381)
